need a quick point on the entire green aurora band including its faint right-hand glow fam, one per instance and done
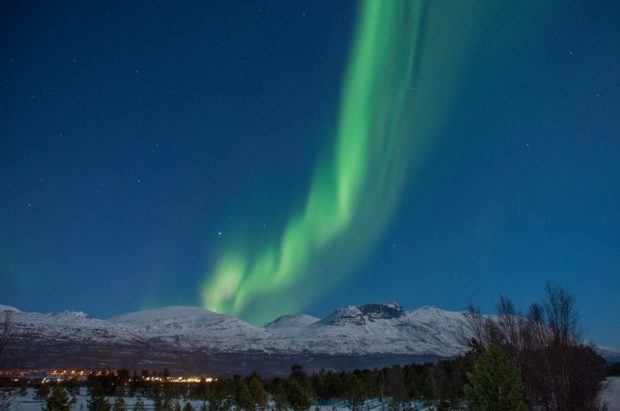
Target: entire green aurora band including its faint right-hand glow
(406, 61)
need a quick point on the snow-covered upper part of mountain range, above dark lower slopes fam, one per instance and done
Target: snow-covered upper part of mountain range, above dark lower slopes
(367, 329)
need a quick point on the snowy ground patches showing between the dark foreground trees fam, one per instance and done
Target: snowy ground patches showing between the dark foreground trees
(610, 396)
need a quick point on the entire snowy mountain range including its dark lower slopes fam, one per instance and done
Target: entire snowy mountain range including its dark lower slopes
(191, 338)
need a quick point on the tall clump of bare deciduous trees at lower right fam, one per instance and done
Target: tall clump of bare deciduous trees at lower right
(559, 371)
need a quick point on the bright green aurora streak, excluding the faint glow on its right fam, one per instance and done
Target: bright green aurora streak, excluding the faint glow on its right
(353, 191)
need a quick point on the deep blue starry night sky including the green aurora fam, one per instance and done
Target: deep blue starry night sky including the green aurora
(141, 142)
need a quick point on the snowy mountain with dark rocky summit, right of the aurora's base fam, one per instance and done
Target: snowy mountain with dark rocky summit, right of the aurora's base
(380, 329)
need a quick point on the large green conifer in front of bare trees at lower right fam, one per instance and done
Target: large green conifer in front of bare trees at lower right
(495, 383)
